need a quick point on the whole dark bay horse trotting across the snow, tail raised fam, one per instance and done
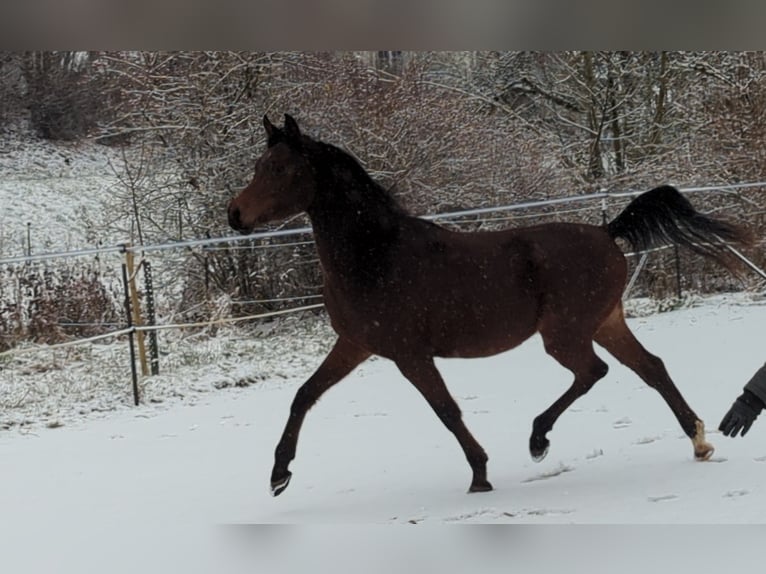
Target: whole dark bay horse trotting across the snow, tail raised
(409, 290)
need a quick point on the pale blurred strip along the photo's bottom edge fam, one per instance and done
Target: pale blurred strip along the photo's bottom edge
(389, 549)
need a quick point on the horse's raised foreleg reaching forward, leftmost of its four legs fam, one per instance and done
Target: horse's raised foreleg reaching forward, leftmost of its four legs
(343, 358)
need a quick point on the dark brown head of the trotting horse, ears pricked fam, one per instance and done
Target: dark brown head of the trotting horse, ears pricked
(283, 184)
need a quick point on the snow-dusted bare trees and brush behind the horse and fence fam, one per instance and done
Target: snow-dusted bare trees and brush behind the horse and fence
(445, 131)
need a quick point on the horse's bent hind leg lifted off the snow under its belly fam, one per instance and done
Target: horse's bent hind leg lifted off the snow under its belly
(574, 351)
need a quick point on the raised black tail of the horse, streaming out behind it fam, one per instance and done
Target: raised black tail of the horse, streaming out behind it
(663, 216)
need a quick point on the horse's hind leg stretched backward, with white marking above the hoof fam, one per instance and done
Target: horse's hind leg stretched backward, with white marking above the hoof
(615, 336)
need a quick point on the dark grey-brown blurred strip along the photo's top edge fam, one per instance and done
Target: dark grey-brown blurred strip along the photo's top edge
(366, 24)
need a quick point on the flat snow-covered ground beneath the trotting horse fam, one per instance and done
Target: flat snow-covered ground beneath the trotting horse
(181, 485)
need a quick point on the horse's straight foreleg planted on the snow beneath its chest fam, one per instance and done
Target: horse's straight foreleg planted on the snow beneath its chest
(427, 379)
